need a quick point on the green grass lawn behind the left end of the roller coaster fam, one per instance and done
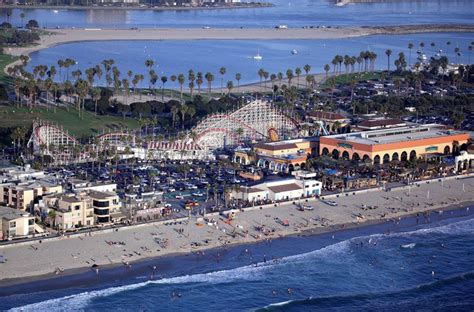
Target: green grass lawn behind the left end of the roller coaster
(88, 126)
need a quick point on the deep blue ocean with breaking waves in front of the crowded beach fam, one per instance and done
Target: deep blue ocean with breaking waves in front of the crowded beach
(416, 264)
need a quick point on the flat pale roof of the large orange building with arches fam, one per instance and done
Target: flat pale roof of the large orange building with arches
(396, 135)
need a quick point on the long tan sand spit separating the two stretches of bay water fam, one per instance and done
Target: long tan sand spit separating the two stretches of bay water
(55, 36)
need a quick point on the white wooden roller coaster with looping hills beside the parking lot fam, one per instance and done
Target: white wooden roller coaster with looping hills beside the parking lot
(256, 121)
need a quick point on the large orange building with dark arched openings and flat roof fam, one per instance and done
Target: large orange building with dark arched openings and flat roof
(402, 143)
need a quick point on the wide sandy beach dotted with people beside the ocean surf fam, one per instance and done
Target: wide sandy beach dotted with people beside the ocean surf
(127, 245)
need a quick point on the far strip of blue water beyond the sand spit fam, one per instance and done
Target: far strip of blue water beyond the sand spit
(292, 13)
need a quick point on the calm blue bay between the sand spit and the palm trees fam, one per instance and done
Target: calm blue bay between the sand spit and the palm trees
(173, 57)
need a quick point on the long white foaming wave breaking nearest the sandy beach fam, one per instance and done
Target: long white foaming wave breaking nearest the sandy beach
(246, 273)
